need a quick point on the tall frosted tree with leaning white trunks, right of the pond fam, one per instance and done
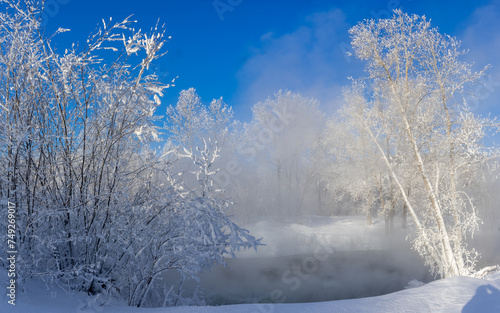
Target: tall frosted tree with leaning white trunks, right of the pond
(412, 110)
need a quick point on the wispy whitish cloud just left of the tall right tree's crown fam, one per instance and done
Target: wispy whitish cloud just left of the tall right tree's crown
(310, 60)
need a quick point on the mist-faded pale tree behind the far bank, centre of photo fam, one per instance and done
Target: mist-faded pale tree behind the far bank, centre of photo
(276, 149)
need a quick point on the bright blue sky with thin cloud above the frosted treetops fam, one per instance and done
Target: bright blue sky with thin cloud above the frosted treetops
(245, 50)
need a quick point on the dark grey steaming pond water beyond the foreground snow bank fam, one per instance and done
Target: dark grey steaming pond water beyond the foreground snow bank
(313, 277)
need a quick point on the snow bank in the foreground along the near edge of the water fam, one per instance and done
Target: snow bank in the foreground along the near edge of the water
(458, 294)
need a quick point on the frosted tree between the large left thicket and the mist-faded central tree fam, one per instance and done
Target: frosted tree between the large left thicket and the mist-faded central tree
(202, 136)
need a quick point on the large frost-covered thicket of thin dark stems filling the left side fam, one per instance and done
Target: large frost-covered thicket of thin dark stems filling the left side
(96, 209)
